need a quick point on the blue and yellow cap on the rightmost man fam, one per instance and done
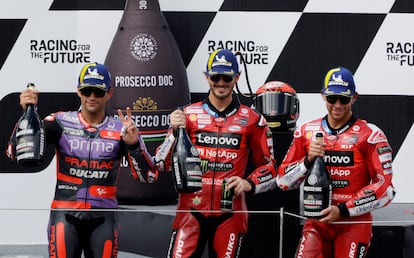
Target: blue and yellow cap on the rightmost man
(339, 81)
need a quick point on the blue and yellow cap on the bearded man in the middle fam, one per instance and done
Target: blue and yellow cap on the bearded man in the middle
(222, 61)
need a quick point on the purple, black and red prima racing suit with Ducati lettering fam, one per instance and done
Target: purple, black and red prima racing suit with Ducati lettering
(88, 160)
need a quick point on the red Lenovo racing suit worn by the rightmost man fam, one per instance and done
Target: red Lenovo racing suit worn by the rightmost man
(359, 160)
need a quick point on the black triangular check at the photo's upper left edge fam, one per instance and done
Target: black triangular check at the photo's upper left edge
(10, 31)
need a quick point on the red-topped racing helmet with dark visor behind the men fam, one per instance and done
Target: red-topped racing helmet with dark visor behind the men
(278, 103)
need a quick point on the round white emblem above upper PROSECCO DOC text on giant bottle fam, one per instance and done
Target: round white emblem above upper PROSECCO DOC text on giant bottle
(143, 47)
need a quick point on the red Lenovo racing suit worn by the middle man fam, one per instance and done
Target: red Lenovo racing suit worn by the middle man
(223, 140)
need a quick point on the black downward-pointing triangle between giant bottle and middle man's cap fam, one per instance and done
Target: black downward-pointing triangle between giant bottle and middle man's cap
(188, 30)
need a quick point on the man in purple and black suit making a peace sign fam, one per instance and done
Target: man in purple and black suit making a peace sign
(89, 145)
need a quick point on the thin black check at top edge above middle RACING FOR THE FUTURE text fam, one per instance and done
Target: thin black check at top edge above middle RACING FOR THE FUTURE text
(264, 5)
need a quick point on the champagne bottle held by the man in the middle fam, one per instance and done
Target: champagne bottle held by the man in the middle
(186, 164)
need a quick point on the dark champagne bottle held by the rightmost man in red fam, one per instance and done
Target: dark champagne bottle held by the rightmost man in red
(317, 189)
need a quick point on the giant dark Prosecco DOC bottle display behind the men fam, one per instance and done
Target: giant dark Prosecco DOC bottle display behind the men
(148, 75)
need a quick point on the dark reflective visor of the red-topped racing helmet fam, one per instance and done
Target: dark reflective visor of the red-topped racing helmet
(272, 104)
